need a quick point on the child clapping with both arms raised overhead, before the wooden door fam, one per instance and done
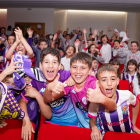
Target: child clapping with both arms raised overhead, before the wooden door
(20, 46)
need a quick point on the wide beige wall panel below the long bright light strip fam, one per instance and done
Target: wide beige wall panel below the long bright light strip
(99, 20)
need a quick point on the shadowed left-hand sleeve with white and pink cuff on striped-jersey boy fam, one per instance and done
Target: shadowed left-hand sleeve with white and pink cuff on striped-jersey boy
(93, 110)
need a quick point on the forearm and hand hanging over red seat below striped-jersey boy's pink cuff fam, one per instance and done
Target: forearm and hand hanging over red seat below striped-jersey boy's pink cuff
(95, 134)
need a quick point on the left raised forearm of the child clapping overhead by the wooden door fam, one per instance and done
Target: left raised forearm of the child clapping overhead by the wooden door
(11, 50)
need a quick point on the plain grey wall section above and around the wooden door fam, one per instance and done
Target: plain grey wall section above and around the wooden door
(43, 15)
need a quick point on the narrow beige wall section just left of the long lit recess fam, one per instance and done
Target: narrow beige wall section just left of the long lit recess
(60, 18)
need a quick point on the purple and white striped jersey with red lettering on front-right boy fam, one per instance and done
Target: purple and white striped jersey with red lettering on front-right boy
(118, 120)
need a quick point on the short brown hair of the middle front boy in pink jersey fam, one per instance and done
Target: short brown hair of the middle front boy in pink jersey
(82, 57)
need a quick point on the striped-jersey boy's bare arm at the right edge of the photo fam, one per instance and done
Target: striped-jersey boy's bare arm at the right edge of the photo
(134, 118)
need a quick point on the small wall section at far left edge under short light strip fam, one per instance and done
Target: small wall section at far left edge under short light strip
(3, 18)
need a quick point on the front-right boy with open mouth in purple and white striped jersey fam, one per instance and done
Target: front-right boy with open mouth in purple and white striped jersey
(118, 120)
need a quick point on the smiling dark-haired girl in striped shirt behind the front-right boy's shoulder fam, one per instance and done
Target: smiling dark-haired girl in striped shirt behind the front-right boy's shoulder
(130, 72)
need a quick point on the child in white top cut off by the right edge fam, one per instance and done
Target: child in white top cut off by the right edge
(136, 83)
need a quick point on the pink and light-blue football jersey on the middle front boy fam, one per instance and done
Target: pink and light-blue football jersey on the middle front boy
(79, 99)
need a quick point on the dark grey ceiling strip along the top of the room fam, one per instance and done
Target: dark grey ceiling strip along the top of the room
(107, 5)
